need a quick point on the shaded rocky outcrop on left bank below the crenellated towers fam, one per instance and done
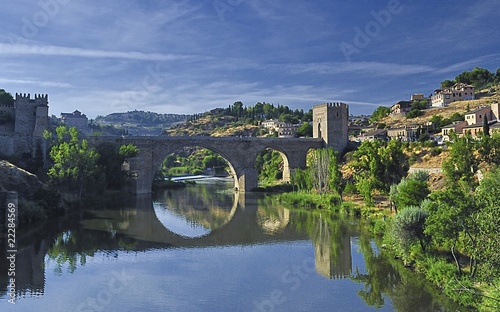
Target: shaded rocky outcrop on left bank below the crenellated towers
(13, 178)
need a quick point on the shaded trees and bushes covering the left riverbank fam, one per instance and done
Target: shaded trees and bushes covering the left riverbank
(76, 170)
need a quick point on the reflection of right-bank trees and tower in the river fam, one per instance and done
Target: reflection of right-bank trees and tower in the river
(384, 276)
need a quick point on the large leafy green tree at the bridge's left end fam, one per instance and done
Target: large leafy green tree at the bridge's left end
(75, 162)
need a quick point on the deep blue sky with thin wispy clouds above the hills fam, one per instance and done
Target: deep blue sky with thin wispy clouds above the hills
(187, 56)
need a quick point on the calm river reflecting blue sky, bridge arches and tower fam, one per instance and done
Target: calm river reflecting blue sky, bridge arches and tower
(204, 248)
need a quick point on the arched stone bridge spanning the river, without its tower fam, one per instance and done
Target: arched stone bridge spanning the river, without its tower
(240, 153)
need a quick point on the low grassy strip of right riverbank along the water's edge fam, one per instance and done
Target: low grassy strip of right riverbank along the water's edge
(436, 266)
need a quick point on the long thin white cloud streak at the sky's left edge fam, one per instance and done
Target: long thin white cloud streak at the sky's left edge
(51, 50)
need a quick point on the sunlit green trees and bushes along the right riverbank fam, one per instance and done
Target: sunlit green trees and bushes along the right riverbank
(450, 235)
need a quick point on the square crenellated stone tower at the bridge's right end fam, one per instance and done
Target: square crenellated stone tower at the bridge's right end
(330, 121)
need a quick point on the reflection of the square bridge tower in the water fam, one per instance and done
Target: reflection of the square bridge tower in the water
(332, 252)
